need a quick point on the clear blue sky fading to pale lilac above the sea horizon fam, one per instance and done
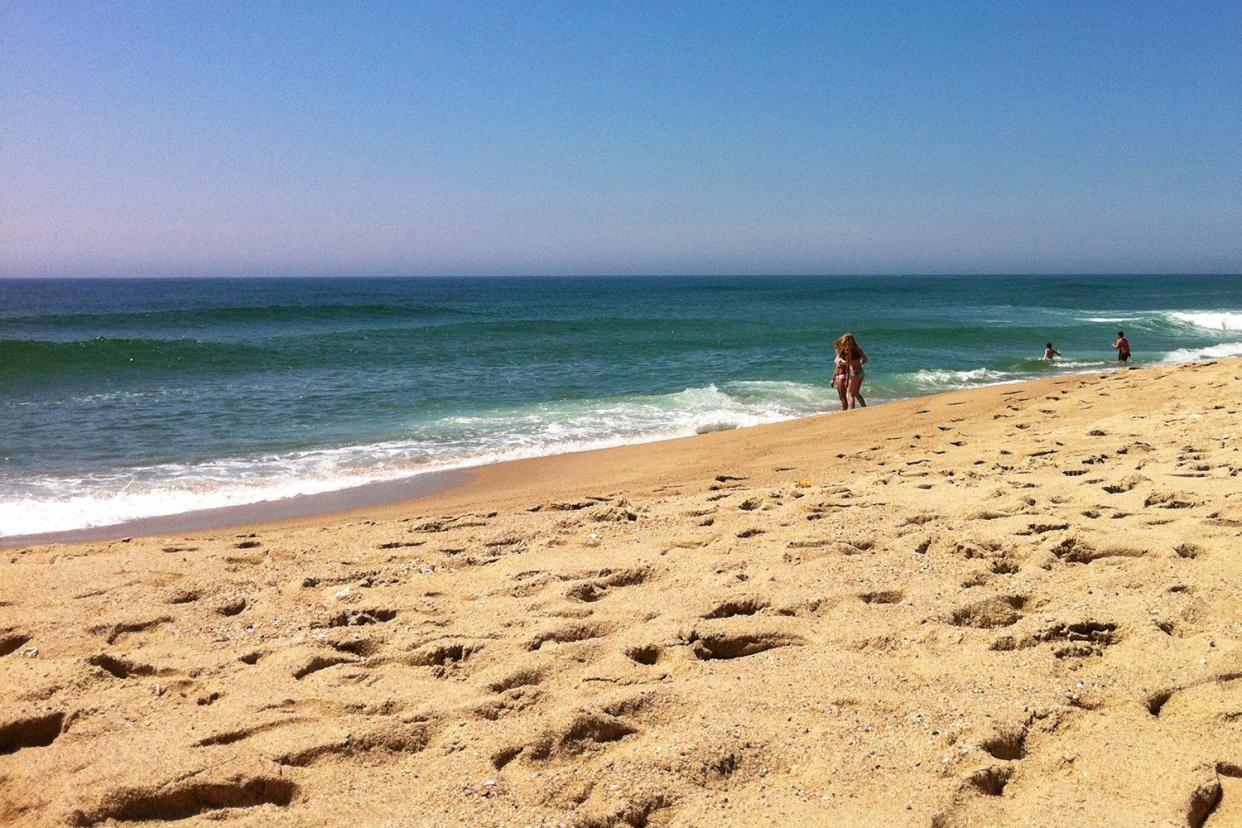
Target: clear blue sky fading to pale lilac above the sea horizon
(321, 138)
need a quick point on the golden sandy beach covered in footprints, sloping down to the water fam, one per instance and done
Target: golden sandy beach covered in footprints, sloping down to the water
(1015, 605)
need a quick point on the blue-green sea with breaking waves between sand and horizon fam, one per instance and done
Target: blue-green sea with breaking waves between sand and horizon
(135, 398)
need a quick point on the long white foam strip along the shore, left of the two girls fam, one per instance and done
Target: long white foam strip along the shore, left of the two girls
(59, 505)
